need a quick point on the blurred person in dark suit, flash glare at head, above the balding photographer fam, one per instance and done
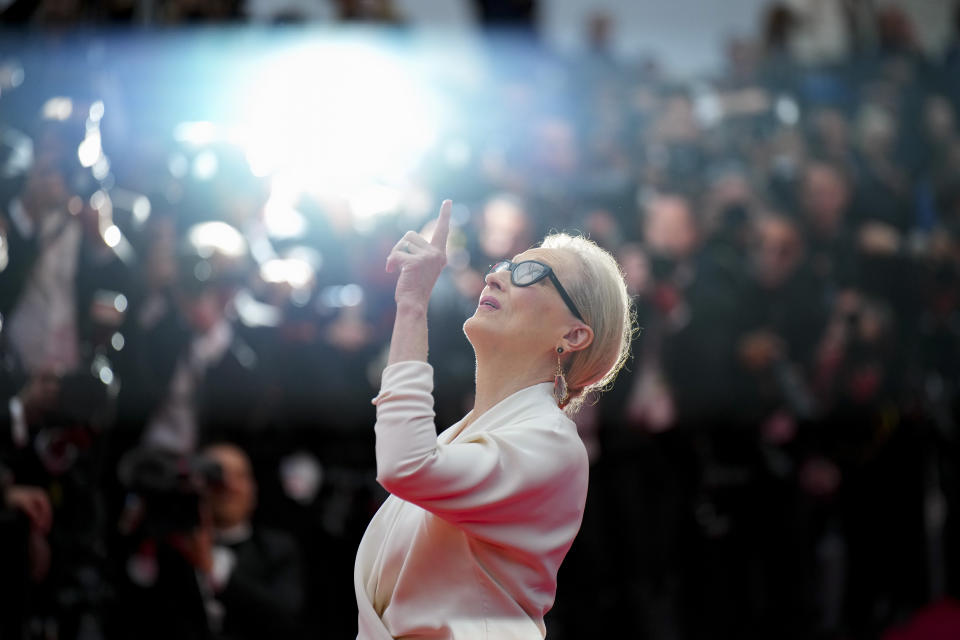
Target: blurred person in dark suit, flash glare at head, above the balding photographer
(187, 369)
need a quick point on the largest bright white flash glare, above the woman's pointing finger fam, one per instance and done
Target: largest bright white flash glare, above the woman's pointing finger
(337, 113)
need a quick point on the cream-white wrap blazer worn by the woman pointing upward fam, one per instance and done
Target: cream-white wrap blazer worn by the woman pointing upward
(468, 545)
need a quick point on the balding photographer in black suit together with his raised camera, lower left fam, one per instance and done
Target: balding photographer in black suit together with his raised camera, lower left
(199, 567)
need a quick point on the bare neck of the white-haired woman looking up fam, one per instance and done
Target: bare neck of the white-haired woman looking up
(500, 375)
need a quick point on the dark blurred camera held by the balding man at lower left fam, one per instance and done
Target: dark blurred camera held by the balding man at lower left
(167, 490)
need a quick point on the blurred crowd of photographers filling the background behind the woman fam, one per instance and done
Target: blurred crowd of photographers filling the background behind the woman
(186, 443)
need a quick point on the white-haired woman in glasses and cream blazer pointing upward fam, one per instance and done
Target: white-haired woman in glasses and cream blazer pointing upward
(469, 543)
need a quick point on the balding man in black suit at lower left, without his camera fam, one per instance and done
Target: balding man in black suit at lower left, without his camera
(221, 579)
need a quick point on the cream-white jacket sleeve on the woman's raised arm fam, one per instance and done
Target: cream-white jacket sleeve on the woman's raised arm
(511, 474)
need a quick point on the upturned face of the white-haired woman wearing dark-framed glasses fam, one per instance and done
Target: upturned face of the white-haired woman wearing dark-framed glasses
(524, 321)
